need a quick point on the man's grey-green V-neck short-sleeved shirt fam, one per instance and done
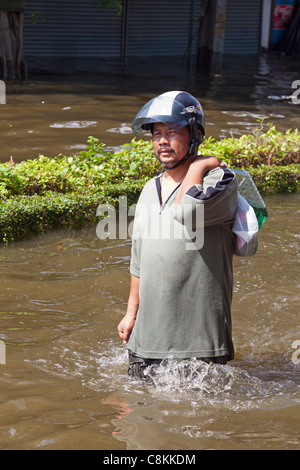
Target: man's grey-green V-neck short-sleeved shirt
(185, 286)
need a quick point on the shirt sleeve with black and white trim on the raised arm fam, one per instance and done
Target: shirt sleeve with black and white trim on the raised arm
(216, 197)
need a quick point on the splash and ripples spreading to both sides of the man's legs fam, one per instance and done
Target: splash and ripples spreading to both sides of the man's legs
(186, 381)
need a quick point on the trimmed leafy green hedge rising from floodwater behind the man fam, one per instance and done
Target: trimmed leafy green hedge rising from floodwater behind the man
(45, 193)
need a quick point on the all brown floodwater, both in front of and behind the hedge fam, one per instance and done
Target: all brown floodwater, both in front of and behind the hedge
(63, 377)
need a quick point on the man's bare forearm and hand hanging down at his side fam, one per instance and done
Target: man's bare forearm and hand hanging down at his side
(127, 323)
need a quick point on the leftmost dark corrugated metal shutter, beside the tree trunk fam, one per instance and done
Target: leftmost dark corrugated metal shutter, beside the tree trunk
(71, 28)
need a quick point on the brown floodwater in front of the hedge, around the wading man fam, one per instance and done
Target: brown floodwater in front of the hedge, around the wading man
(65, 383)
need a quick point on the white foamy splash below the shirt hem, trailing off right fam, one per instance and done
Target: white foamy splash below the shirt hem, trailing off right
(219, 384)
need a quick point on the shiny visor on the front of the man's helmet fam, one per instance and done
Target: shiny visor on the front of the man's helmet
(163, 109)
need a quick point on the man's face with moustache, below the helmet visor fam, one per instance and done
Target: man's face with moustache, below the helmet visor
(170, 145)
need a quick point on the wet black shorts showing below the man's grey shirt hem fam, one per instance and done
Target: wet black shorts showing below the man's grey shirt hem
(137, 364)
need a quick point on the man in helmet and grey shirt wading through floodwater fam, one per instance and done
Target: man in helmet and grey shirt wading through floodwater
(179, 304)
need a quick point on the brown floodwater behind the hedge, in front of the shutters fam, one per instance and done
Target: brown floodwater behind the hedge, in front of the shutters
(57, 116)
